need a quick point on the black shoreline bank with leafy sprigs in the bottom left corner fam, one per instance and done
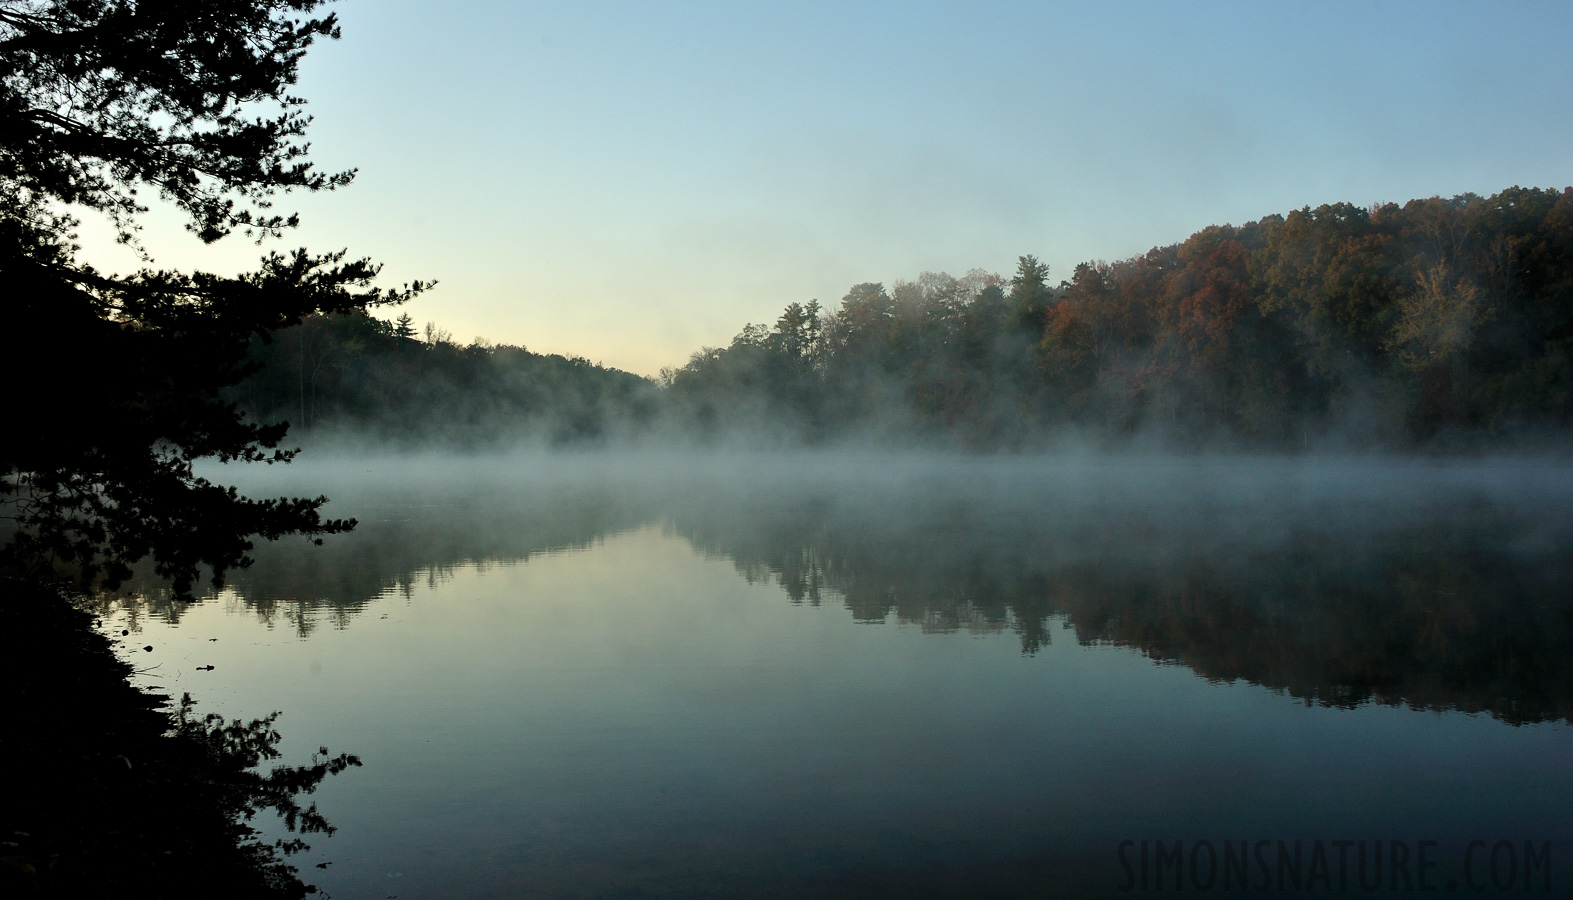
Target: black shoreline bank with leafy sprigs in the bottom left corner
(114, 791)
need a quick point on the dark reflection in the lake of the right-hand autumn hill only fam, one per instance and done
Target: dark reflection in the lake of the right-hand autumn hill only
(1445, 611)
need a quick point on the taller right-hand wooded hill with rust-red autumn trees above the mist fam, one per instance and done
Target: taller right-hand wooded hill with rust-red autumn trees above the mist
(1391, 325)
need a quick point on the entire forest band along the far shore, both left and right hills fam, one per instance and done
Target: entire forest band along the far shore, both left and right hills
(1420, 325)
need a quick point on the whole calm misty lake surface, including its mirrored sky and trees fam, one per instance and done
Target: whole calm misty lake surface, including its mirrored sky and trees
(913, 677)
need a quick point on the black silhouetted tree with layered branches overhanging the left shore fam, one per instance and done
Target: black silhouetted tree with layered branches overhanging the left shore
(101, 101)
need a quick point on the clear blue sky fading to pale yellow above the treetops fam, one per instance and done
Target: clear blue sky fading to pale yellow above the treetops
(635, 182)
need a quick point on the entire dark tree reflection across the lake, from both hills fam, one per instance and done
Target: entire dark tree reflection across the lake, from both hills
(1437, 602)
